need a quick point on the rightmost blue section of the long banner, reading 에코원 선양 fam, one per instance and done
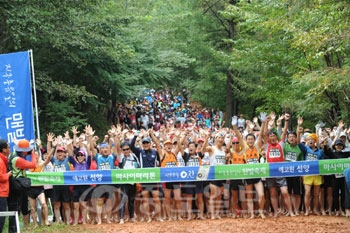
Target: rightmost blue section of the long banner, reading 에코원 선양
(301, 168)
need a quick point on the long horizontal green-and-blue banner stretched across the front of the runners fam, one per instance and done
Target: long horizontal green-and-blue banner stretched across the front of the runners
(186, 174)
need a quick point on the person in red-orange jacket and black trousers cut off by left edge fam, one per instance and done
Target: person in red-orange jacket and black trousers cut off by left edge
(4, 178)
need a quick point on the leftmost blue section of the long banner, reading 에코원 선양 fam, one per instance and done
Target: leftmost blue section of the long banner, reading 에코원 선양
(88, 177)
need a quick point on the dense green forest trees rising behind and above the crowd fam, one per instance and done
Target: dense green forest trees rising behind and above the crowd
(240, 56)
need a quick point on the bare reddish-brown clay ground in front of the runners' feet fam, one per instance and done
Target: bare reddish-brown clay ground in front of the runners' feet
(300, 224)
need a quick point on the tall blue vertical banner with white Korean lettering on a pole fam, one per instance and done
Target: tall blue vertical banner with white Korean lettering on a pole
(16, 116)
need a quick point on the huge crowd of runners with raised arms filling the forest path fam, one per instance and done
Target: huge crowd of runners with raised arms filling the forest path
(162, 129)
